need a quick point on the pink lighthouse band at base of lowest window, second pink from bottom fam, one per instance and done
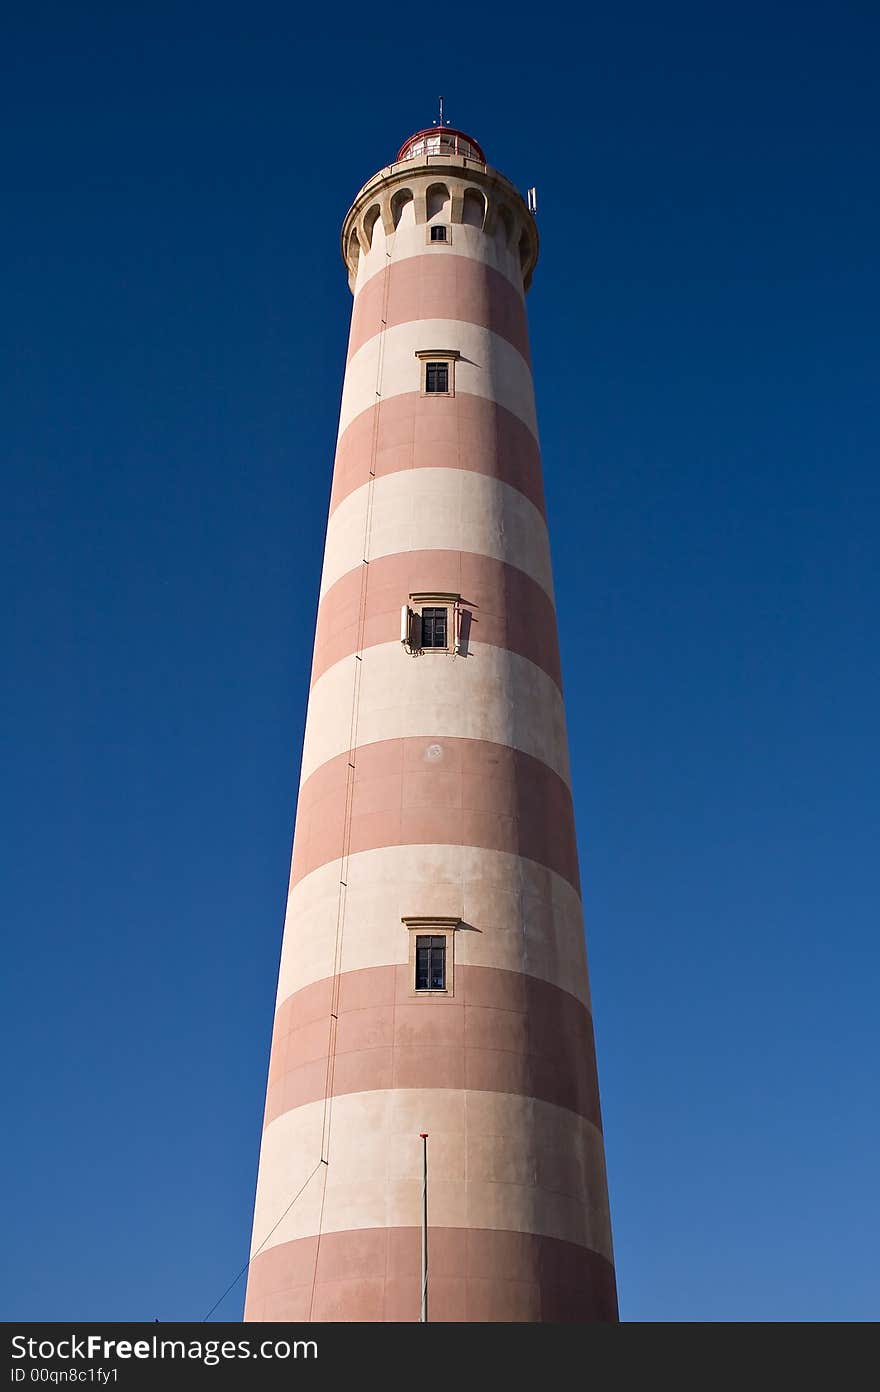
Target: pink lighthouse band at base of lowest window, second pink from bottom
(502, 1032)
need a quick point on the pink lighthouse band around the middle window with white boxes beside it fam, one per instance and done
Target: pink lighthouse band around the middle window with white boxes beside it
(506, 608)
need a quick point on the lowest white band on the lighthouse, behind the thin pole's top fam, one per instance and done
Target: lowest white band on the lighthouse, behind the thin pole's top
(498, 1162)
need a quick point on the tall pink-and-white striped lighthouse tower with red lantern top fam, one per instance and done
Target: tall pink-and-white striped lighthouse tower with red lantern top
(434, 974)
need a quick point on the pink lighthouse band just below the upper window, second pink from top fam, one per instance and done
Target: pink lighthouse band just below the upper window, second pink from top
(416, 432)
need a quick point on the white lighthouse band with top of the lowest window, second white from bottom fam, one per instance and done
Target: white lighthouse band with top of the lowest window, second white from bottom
(526, 918)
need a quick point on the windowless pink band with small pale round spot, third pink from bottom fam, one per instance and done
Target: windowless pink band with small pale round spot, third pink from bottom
(437, 791)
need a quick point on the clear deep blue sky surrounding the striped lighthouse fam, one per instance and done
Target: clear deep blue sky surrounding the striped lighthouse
(705, 338)
